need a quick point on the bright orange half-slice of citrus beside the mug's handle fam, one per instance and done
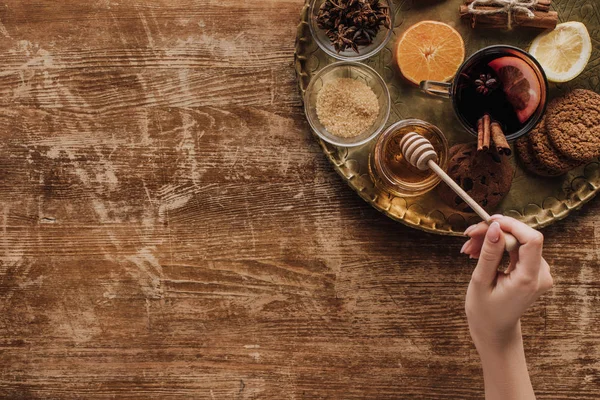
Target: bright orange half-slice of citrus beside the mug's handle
(430, 50)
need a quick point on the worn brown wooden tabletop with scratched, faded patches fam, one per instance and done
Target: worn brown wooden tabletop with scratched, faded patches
(171, 229)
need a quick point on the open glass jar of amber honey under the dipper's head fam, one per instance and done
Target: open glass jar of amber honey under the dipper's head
(392, 173)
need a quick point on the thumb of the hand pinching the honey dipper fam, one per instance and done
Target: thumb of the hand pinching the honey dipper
(490, 257)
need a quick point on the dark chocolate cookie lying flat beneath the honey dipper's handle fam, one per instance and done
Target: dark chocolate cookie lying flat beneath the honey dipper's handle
(485, 176)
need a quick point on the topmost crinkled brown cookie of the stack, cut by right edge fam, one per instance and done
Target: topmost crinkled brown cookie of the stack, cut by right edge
(573, 125)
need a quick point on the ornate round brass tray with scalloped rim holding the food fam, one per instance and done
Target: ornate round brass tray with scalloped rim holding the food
(536, 201)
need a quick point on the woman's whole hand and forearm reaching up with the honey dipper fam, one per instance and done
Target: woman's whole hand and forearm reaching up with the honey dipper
(496, 300)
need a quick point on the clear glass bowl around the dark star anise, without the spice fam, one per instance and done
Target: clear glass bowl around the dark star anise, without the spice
(365, 52)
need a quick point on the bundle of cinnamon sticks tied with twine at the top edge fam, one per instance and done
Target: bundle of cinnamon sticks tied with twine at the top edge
(506, 14)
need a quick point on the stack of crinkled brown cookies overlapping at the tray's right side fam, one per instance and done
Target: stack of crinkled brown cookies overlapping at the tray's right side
(568, 137)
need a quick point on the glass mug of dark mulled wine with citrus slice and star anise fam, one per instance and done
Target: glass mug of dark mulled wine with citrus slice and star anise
(503, 81)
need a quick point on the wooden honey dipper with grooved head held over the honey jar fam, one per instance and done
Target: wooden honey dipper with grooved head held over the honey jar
(419, 152)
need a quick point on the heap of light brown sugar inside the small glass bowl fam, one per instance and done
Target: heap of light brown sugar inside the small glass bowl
(347, 107)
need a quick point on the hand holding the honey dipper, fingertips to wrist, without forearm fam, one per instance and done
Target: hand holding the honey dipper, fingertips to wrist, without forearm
(496, 300)
